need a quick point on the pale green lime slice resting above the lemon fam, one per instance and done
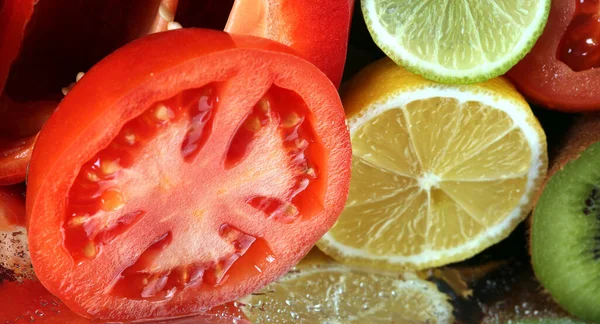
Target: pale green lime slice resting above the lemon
(456, 41)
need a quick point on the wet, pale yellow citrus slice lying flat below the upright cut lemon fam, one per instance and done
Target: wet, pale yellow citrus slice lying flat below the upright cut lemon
(334, 293)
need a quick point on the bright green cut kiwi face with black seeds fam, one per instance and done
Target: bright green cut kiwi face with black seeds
(565, 236)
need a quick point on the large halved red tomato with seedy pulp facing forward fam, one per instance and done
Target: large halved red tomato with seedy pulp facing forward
(203, 166)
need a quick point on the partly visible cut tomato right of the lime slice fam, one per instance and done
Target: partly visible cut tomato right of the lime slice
(562, 71)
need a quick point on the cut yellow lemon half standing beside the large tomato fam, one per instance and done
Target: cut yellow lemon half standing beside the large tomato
(439, 172)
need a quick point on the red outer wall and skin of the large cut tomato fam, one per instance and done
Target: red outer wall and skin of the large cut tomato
(122, 86)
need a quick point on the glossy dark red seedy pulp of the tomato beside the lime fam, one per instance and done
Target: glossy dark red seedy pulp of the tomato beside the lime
(580, 45)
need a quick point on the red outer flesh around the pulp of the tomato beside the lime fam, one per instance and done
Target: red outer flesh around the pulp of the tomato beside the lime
(544, 79)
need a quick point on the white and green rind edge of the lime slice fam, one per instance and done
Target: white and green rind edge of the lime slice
(425, 66)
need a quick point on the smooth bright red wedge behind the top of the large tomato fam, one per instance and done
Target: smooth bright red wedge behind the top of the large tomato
(316, 29)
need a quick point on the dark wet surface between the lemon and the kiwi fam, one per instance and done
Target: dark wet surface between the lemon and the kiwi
(503, 285)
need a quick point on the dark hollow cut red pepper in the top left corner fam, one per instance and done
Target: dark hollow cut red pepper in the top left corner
(62, 39)
